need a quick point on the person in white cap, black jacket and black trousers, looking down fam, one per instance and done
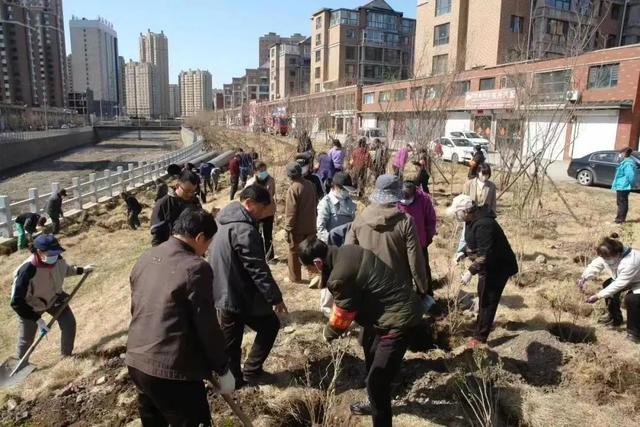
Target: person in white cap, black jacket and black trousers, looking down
(492, 260)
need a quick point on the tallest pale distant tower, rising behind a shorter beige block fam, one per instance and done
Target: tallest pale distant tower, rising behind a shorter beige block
(154, 49)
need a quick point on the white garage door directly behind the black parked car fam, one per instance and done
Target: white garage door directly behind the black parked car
(595, 132)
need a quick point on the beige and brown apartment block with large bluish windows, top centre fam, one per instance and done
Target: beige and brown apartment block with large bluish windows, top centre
(370, 44)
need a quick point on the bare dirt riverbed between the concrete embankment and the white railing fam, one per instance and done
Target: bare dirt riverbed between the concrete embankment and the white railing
(82, 161)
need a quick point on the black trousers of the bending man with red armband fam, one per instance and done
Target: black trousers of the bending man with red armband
(383, 356)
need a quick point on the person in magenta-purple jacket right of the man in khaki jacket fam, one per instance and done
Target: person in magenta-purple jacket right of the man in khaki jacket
(419, 206)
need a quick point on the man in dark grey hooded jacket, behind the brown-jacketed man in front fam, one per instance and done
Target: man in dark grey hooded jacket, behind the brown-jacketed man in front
(244, 290)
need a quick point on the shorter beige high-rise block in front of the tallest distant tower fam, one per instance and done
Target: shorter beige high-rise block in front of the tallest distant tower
(141, 89)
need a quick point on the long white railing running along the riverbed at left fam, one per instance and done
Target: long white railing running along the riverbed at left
(99, 187)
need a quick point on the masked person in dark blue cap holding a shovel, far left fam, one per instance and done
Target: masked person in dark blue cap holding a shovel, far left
(37, 288)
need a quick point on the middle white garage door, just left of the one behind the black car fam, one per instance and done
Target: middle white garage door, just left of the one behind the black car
(546, 135)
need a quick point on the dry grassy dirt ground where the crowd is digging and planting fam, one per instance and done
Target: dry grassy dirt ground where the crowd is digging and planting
(548, 363)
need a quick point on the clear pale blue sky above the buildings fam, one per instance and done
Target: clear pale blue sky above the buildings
(216, 35)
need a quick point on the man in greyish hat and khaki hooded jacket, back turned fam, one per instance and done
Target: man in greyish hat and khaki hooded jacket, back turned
(391, 234)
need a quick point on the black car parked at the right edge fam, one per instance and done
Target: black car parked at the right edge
(598, 168)
